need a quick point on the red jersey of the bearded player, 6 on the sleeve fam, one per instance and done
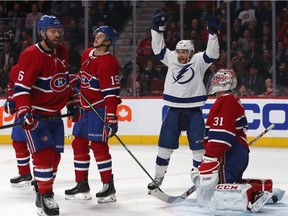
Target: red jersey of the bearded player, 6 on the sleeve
(43, 82)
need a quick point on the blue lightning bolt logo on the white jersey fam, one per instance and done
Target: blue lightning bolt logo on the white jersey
(184, 75)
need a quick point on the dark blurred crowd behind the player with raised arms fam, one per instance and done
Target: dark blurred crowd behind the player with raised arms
(251, 43)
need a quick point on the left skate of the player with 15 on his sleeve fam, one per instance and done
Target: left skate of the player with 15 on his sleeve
(80, 192)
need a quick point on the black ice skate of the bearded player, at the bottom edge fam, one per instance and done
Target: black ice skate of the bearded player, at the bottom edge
(48, 206)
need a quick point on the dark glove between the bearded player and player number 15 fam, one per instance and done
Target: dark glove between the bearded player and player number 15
(74, 108)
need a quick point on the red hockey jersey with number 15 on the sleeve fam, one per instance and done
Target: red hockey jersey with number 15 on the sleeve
(100, 80)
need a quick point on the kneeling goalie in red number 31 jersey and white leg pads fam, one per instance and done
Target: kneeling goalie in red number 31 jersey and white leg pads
(227, 154)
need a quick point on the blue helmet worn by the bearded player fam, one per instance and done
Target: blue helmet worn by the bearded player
(48, 21)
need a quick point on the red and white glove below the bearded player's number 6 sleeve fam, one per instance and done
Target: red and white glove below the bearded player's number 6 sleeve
(29, 122)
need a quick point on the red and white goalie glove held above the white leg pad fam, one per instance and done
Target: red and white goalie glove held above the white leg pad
(208, 172)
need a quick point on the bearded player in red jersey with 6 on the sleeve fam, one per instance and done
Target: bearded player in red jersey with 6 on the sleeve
(40, 92)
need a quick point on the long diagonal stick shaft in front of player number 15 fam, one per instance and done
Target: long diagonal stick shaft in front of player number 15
(117, 137)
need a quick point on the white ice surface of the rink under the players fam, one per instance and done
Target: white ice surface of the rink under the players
(131, 183)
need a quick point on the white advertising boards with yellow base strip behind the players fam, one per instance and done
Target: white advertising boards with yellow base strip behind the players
(140, 121)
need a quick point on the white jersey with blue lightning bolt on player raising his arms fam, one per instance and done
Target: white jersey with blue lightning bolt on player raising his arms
(184, 85)
